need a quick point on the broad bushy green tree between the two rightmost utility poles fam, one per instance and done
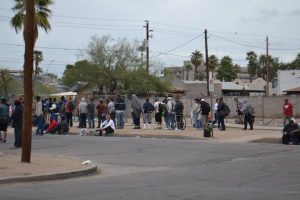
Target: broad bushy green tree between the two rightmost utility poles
(227, 71)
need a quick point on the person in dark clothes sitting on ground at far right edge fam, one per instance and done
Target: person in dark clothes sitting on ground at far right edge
(290, 132)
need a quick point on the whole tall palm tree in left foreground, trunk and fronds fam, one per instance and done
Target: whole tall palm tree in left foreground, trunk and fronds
(35, 13)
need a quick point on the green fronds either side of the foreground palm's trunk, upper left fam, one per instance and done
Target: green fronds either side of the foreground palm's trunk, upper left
(42, 13)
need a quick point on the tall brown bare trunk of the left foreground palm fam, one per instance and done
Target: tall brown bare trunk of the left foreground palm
(28, 69)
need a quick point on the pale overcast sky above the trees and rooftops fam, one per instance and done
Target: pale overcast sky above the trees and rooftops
(234, 27)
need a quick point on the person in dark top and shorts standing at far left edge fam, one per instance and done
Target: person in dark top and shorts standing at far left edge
(4, 118)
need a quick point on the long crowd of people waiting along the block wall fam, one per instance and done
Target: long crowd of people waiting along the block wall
(56, 117)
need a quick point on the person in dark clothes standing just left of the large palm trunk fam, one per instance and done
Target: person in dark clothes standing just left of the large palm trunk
(17, 122)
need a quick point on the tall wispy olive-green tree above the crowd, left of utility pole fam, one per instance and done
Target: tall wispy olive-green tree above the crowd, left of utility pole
(113, 58)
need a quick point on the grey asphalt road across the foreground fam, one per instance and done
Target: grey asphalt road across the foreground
(144, 169)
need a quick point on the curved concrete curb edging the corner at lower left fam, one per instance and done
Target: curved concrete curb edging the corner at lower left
(50, 176)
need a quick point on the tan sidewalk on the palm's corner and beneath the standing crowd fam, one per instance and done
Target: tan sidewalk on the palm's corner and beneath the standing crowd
(46, 167)
